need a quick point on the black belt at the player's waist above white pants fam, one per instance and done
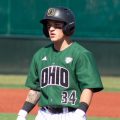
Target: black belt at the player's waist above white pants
(58, 110)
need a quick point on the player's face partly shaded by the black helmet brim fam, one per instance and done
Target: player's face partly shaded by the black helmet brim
(55, 30)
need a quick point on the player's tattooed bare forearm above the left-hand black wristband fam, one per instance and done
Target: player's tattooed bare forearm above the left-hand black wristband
(33, 96)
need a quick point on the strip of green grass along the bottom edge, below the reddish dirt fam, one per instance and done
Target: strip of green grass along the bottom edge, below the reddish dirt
(4, 116)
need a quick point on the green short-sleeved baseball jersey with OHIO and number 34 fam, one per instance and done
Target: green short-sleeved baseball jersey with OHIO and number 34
(61, 76)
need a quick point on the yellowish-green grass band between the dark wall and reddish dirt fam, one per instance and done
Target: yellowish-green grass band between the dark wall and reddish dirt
(111, 84)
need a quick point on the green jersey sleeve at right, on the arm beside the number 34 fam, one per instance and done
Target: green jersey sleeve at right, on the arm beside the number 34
(87, 72)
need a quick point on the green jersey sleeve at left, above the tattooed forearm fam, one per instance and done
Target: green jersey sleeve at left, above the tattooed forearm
(33, 77)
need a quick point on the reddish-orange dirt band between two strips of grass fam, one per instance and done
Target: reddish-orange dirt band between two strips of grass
(104, 104)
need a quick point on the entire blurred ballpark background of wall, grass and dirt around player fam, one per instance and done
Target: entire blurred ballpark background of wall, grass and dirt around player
(97, 29)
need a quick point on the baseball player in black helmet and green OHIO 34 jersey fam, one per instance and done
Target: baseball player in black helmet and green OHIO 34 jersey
(63, 75)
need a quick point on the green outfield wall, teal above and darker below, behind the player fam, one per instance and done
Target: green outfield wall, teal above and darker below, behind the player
(97, 28)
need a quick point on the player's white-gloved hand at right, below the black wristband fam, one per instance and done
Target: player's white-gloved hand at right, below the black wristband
(80, 115)
